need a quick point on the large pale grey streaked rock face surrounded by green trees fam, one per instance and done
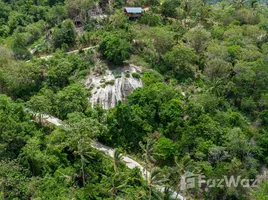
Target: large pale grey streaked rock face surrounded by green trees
(113, 86)
